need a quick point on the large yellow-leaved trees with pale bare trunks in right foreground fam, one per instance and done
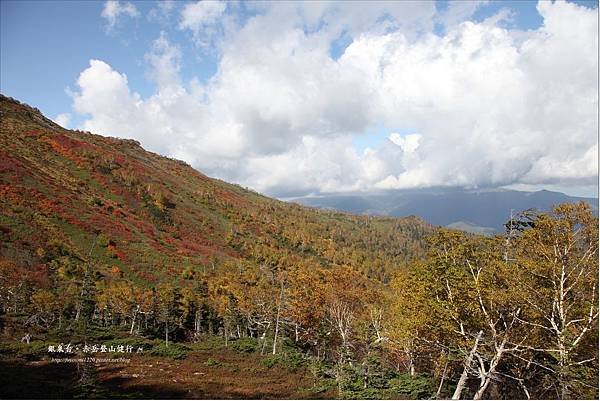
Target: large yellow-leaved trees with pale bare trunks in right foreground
(513, 316)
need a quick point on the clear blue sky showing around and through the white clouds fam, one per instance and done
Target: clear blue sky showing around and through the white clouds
(45, 44)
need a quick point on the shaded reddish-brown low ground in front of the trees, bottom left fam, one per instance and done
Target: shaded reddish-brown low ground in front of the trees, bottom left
(230, 375)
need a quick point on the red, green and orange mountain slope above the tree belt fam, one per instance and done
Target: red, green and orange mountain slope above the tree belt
(71, 196)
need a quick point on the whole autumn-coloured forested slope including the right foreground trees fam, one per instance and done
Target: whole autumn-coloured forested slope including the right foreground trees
(104, 241)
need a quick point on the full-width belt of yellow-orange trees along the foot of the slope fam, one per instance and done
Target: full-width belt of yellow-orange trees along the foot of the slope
(480, 317)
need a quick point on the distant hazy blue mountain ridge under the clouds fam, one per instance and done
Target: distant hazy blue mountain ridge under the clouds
(479, 211)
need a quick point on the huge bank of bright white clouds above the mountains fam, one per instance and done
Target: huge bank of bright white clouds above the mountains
(491, 107)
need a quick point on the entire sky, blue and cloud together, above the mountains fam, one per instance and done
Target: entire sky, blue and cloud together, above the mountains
(302, 98)
